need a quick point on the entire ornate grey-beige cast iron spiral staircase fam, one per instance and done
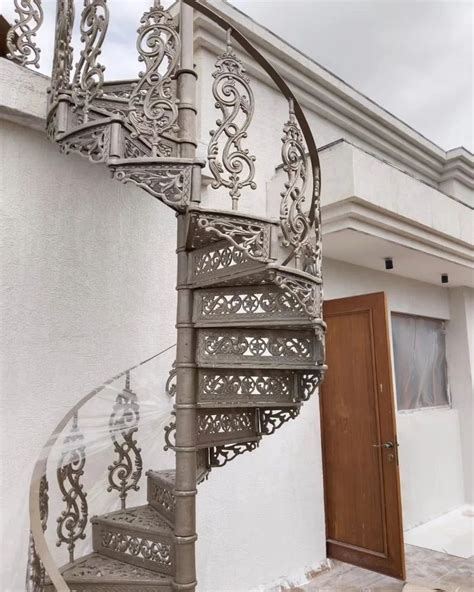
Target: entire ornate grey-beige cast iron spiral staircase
(250, 334)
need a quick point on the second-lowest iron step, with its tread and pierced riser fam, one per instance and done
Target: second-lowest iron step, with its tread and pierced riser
(138, 536)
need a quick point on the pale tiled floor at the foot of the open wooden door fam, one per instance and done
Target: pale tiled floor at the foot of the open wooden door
(424, 568)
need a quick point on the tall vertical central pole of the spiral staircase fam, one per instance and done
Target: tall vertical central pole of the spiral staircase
(186, 377)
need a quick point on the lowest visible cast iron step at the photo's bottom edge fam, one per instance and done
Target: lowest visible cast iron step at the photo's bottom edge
(96, 572)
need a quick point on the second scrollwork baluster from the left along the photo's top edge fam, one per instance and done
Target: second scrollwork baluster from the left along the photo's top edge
(62, 60)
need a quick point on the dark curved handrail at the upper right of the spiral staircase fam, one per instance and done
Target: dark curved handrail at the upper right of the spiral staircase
(282, 86)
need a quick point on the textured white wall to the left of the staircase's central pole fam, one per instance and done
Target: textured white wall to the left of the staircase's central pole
(87, 276)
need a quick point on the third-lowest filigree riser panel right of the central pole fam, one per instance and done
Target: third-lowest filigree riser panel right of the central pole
(257, 346)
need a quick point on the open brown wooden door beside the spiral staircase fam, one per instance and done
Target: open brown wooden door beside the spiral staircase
(362, 489)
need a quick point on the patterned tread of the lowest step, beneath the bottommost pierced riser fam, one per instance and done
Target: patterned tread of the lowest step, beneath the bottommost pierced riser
(95, 567)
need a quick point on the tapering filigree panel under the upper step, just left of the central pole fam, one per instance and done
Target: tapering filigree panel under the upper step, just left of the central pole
(170, 183)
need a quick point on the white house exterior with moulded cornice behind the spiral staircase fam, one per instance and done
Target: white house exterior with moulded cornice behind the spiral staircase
(89, 277)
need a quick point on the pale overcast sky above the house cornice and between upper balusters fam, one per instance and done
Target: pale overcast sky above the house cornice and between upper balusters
(412, 57)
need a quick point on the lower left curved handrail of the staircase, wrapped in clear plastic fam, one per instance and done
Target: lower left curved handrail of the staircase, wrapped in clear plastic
(40, 469)
